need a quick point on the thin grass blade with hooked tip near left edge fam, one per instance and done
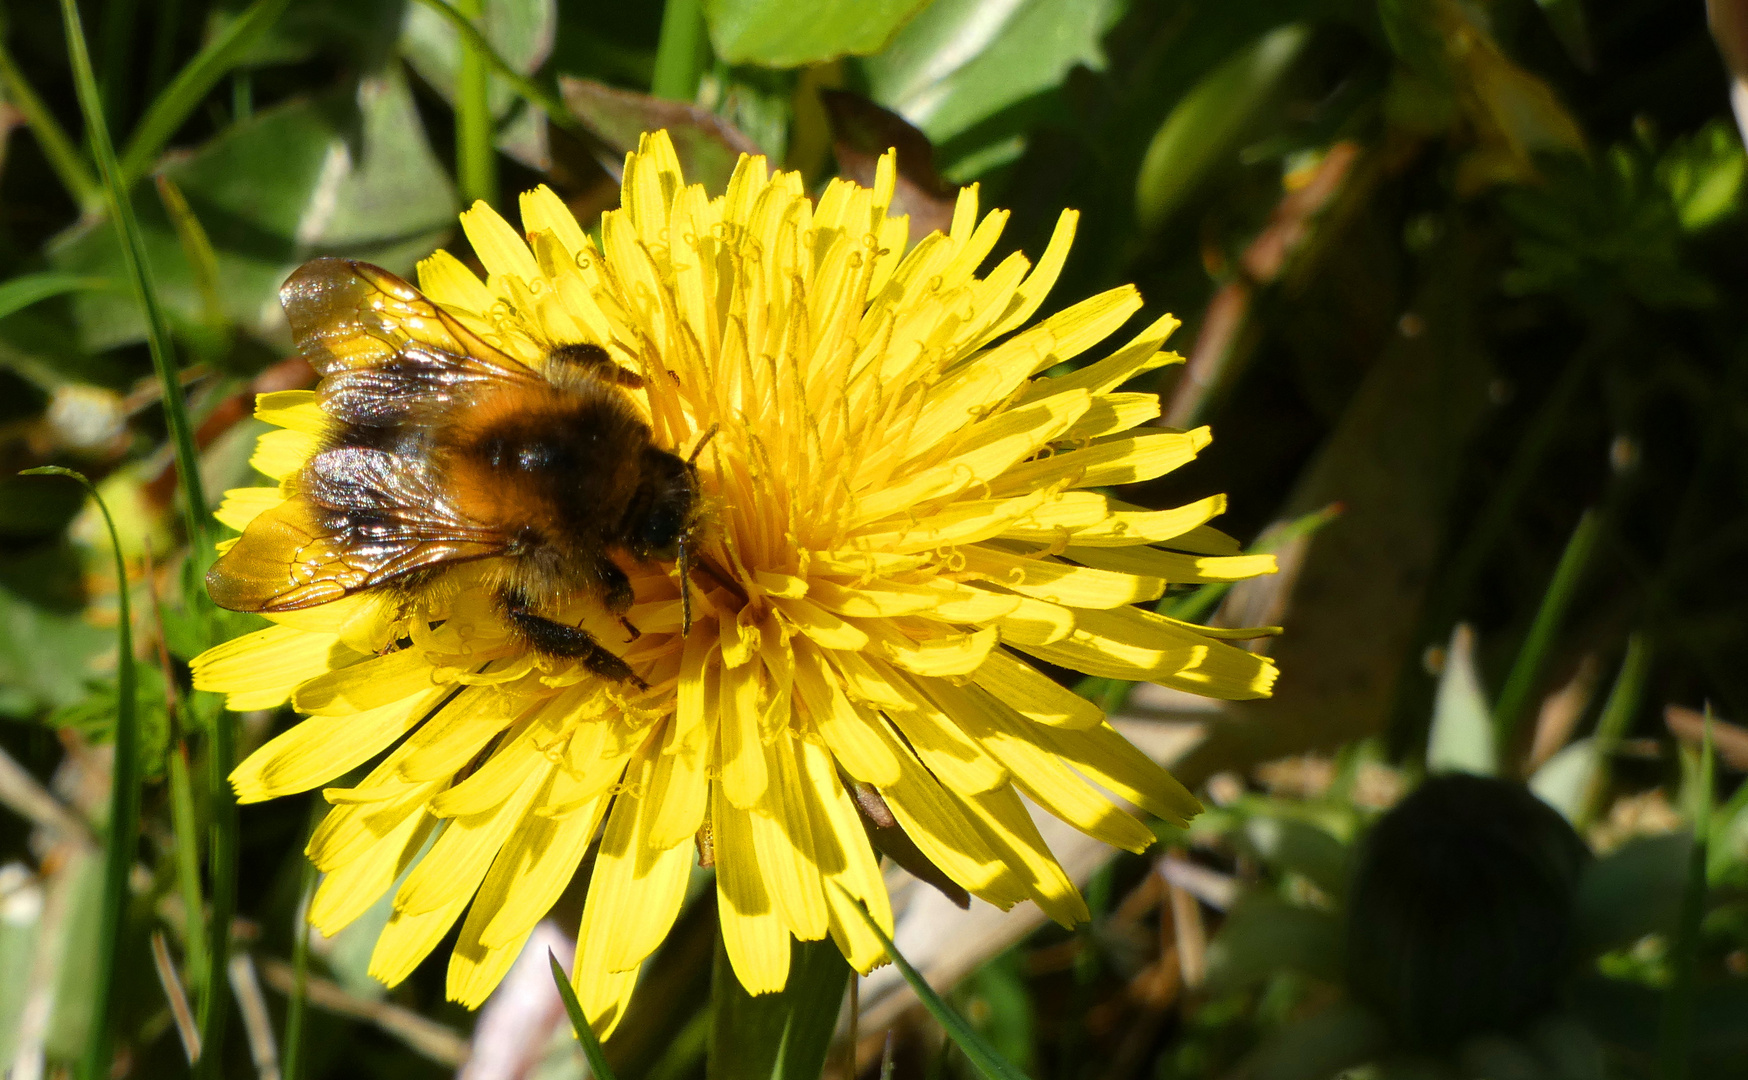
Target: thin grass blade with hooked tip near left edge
(125, 807)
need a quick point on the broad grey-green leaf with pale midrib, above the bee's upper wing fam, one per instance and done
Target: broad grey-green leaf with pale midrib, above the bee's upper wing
(349, 176)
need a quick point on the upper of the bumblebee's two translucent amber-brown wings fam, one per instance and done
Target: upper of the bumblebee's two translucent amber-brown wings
(385, 354)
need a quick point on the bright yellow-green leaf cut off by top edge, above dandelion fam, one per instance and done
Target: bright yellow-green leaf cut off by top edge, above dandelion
(780, 34)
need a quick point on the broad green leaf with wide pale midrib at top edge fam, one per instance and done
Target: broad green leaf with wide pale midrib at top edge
(966, 60)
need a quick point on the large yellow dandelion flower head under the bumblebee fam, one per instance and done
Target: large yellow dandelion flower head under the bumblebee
(898, 508)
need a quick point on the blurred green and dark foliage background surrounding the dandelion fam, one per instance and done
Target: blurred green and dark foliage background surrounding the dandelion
(1464, 300)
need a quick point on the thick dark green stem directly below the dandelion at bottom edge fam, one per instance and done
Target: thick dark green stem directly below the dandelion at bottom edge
(782, 1035)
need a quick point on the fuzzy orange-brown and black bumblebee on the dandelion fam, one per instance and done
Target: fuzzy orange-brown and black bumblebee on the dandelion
(441, 450)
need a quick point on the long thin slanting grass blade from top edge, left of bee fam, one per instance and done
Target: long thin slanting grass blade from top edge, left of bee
(139, 279)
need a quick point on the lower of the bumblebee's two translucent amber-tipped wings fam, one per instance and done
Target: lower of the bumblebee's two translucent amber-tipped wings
(363, 518)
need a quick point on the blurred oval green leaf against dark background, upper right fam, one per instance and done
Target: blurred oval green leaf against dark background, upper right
(1207, 127)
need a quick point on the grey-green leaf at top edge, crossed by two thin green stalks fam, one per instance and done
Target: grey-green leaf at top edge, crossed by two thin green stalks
(520, 34)
